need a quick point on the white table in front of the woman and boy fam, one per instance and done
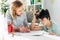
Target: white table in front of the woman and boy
(33, 35)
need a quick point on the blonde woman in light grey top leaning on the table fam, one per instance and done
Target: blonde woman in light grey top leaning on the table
(17, 17)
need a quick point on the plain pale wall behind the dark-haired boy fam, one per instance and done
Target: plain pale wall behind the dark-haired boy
(54, 9)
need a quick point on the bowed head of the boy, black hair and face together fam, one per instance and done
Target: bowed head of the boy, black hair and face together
(44, 17)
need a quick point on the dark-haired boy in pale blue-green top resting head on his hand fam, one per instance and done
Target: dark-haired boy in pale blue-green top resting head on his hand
(44, 18)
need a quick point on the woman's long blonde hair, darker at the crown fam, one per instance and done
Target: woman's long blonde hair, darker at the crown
(16, 4)
